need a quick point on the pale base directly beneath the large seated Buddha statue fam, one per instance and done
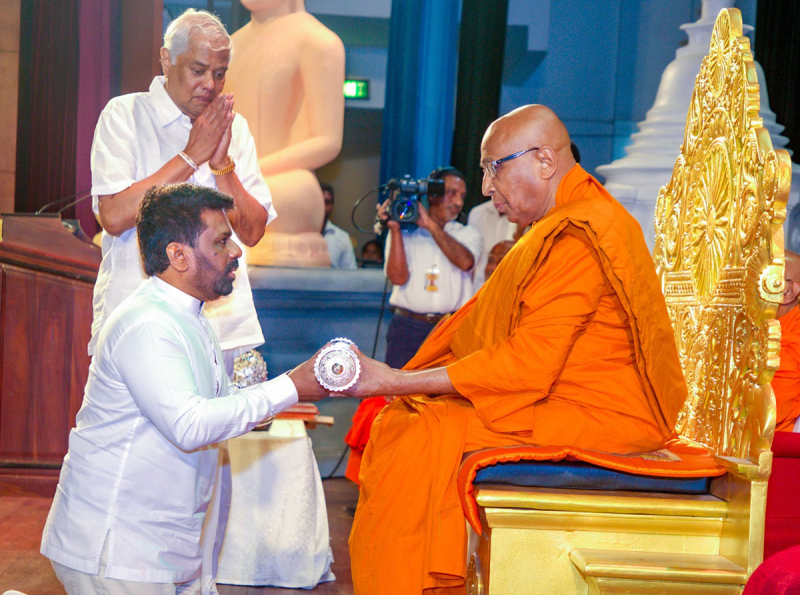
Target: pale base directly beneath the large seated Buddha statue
(306, 250)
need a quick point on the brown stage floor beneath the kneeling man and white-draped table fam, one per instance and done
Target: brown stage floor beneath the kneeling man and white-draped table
(24, 569)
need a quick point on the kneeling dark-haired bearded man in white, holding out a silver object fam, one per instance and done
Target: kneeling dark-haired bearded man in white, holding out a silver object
(136, 482)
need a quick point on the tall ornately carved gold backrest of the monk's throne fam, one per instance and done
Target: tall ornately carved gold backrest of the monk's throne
(719, 252)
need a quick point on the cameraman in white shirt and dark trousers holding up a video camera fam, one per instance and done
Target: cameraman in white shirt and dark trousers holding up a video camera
(429, 266)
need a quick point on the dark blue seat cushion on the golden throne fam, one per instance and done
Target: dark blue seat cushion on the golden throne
(579, 475)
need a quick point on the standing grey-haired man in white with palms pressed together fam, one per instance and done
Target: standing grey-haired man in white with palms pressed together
(182, 129)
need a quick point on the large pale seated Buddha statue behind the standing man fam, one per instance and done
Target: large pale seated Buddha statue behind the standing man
(286, 77)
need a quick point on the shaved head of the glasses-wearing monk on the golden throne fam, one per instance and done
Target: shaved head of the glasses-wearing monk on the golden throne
(523, 188)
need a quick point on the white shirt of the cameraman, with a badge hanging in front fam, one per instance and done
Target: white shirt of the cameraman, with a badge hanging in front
(435, 285)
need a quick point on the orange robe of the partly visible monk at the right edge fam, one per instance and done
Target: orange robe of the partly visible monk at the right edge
(786, 382)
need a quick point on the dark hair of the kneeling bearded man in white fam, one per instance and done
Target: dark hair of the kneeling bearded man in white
(172, 213)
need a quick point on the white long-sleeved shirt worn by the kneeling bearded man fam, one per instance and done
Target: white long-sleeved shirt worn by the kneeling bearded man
(142, 457)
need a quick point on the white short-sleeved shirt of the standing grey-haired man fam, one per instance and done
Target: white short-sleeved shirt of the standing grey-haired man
(135, 136)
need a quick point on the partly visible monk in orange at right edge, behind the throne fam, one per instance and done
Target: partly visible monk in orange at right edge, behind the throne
(786, 382)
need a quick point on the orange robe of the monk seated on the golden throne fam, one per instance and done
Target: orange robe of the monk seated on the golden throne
(568, 343)
